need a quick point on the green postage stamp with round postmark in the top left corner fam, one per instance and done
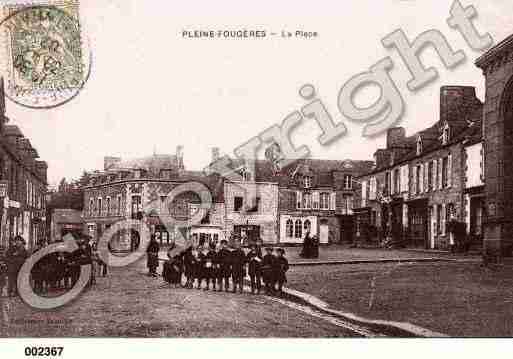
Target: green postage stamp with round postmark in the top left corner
(46, 61)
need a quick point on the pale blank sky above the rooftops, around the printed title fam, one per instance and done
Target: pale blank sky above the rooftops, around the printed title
(150, 89)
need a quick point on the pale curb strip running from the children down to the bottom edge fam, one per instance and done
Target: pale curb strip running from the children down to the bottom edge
(389, 328)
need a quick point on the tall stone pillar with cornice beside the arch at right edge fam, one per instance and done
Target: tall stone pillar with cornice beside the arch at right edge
(497, 67)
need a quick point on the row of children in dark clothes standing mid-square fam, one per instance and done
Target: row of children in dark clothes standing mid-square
(217, 265)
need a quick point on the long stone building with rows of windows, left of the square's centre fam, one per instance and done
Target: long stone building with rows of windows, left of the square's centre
(140, 189)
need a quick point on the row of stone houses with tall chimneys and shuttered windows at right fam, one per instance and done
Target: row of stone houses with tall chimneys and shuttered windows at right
(419, 181)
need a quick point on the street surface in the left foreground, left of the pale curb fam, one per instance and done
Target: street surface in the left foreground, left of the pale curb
(128, 303)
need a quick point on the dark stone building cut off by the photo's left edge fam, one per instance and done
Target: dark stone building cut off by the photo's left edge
(23, 184)
